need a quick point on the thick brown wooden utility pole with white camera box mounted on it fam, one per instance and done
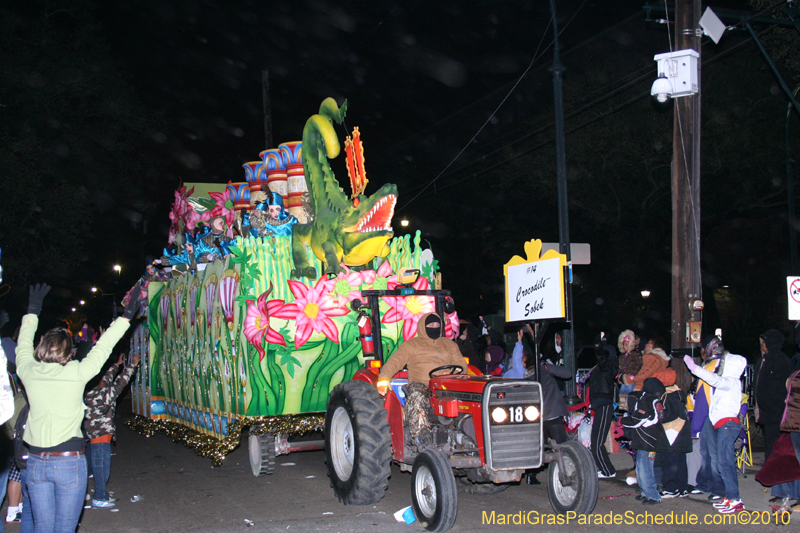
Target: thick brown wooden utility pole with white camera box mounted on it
(686, 282)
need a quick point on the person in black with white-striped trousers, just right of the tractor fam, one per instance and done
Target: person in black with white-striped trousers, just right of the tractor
(601, 396)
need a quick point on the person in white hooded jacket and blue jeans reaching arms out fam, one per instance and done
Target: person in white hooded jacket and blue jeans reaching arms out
(723, 415)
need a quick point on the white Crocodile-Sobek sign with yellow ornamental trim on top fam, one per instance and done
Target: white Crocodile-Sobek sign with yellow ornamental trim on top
(535, 288)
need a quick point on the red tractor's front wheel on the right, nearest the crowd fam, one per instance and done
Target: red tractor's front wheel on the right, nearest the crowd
(578, 490)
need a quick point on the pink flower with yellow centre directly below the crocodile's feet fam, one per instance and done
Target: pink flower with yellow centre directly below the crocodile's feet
(311, 310)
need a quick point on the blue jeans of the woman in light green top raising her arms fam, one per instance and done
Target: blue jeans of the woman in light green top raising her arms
(57, 486)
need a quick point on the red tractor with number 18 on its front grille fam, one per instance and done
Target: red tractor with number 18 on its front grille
(486, 432)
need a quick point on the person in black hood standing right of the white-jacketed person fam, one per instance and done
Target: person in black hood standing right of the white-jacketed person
(769, 386)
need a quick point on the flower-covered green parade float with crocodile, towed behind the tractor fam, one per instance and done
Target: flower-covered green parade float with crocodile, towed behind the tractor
(250, 344)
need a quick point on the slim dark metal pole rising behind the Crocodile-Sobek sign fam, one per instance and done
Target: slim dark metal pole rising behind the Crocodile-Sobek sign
(567, 337)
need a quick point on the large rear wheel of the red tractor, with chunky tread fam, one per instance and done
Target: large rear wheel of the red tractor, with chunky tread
(357, 443)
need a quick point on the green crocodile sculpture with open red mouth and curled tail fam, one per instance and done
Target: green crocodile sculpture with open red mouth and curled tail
(342, 231)
